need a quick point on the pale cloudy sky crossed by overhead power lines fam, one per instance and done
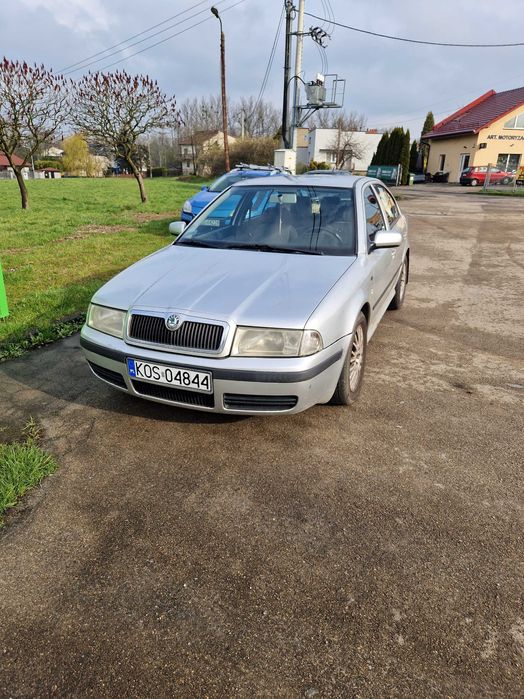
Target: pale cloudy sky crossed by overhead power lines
(391, 83)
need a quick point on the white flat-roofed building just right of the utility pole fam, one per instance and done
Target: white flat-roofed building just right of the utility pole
(324, 144)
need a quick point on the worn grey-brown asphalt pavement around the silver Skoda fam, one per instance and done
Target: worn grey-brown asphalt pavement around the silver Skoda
(371, 551)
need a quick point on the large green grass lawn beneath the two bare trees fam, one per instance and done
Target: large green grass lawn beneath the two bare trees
(77, 234)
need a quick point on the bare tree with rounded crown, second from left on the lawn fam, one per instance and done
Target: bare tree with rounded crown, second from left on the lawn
(118, 110)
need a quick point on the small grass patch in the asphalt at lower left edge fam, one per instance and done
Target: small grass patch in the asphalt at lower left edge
(23, 465)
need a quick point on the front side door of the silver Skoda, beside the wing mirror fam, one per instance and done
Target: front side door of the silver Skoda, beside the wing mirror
(389, 260)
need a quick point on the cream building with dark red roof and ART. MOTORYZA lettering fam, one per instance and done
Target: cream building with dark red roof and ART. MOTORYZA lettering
(487, 131)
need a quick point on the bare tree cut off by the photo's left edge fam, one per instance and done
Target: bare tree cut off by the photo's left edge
(33, 104)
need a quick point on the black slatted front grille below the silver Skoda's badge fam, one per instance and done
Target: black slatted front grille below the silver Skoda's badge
(190, 335)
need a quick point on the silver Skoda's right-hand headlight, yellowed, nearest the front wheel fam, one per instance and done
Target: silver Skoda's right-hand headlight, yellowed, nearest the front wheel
(273, 342)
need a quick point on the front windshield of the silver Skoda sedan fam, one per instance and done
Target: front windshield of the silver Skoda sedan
(302, 220)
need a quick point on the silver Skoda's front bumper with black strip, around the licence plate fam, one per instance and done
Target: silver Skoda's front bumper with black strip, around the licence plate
(242, 385)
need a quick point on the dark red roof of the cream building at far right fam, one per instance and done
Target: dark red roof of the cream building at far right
(479, 114)
